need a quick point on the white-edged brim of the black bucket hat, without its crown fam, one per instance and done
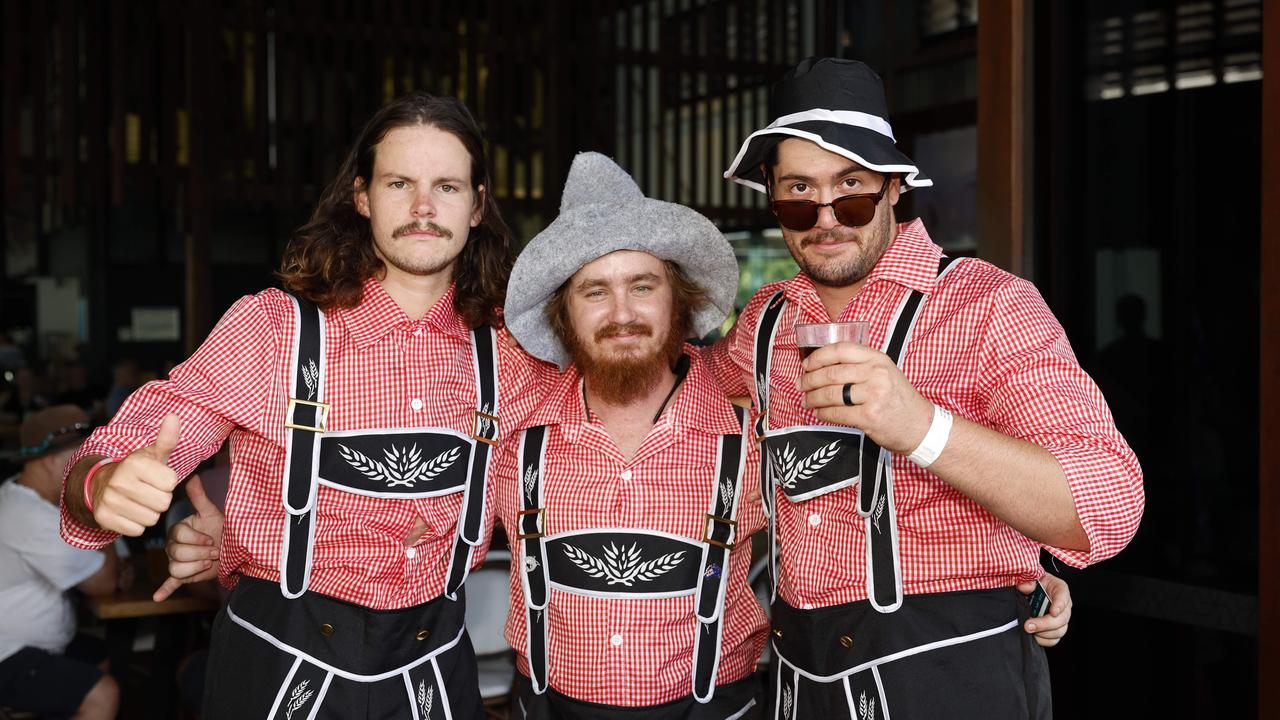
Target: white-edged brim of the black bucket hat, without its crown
(865, 147)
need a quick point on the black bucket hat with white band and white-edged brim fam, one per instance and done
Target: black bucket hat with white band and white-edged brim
(840, 107)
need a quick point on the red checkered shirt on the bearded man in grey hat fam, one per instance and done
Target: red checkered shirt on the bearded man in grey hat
(634, 653)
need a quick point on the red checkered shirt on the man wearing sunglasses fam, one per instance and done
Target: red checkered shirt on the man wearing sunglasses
(988, 348)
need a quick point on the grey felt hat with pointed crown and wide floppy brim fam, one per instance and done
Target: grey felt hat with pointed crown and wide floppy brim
(604, 211)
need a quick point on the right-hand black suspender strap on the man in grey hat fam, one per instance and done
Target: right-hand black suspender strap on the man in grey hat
(720, 535)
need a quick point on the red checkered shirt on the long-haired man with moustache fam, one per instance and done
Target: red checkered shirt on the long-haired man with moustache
(382, 371)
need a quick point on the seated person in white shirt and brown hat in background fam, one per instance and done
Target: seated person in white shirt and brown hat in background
(44, 667)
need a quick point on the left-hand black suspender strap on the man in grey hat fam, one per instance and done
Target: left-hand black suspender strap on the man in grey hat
(532, 526)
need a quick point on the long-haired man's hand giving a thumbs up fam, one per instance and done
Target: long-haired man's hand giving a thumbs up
(130, 496)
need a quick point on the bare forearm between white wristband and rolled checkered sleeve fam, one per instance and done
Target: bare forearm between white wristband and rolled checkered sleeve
(1016, 481)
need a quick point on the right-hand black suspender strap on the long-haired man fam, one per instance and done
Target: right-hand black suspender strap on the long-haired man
(484, 349)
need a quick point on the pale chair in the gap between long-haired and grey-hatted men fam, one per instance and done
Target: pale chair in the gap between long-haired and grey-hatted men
(488, 599)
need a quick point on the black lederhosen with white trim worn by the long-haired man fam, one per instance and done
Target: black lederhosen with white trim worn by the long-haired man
(286, 651)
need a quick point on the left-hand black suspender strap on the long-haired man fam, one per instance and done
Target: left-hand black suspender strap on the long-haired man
(305, 420)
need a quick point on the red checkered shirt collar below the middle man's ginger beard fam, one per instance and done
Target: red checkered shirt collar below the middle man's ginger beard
(700, 405)
